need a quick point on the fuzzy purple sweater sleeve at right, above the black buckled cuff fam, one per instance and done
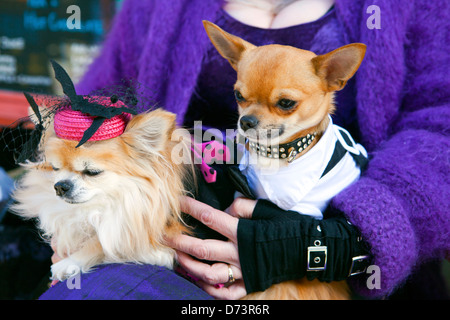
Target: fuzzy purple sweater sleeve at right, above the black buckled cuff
(401, 203)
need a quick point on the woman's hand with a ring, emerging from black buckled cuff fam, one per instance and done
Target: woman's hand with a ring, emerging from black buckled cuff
(214, 278)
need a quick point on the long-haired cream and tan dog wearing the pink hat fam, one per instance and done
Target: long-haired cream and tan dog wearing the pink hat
(110, 201)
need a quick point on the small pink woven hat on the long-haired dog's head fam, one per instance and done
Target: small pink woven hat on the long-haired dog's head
(71, 125)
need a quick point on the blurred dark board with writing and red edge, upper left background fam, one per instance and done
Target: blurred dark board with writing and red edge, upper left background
(34, 31)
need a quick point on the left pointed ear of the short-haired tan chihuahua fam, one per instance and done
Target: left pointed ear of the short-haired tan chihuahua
(229, 46)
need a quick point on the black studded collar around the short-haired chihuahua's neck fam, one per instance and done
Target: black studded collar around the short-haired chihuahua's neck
(286, 151)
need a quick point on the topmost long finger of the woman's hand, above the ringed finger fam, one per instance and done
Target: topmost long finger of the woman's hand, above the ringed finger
(213, 218)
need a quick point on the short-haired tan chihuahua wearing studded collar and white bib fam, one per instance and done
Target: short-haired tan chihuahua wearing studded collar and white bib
(285, 99)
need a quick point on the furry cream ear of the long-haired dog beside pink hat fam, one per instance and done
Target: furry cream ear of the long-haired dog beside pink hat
(149, 132)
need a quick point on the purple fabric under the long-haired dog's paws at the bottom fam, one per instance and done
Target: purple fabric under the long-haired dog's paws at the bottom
(126, 282)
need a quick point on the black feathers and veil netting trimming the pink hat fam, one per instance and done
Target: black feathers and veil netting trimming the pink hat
(20, 140)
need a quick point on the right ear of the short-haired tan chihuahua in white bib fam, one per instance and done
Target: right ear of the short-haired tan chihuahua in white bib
(338, 66)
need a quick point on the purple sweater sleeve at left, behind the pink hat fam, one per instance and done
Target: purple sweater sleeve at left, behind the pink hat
(120, 50)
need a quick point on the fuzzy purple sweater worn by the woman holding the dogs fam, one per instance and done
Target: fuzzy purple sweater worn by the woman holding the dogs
(401, 204)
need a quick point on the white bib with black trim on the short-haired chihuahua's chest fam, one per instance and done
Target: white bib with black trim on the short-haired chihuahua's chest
(299, 186)
